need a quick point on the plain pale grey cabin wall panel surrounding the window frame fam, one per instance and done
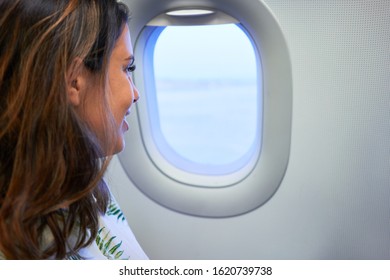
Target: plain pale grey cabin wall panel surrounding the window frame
(334, 200)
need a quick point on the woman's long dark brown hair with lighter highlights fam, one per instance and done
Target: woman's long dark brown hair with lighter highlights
(51, 162)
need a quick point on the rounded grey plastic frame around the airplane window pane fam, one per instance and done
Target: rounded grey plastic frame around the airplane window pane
(230, 194)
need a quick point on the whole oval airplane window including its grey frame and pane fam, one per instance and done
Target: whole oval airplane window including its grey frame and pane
(211, 136)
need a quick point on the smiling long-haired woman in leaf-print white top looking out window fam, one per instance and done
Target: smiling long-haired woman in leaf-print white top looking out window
(65, 90)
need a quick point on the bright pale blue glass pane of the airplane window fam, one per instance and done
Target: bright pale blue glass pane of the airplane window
(206, 87)
